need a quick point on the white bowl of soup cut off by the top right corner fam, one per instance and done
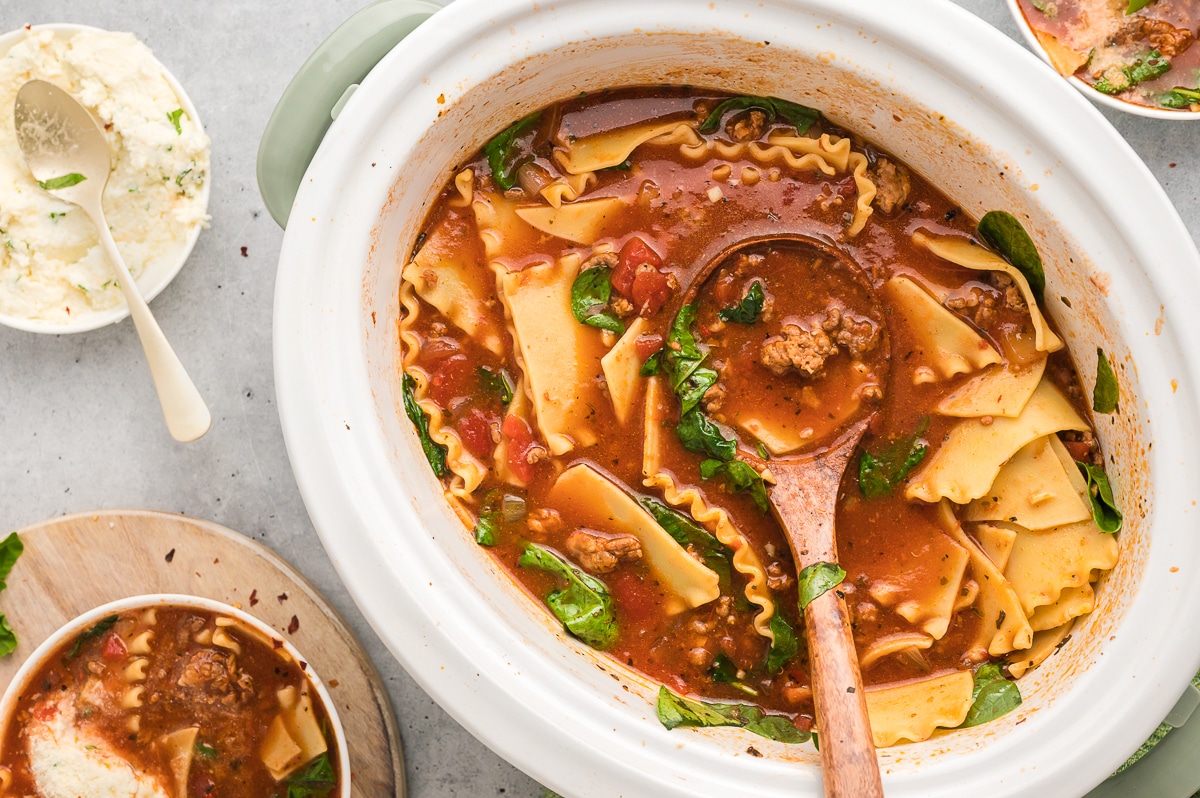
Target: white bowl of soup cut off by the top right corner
(1141, 58)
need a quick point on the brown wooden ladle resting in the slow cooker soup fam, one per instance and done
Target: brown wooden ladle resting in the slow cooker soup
(806, 500)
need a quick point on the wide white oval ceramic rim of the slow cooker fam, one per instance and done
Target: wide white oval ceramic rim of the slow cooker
(482, 677)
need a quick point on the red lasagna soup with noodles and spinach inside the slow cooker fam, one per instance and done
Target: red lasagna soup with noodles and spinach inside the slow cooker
(605, 425)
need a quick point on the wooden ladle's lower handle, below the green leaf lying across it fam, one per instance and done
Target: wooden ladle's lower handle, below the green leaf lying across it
(849, 767)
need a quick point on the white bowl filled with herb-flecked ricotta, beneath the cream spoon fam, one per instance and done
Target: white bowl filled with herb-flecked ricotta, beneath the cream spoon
(55, 277)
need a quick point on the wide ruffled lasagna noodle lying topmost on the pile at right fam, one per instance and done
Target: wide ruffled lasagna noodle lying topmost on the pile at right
(965, 466)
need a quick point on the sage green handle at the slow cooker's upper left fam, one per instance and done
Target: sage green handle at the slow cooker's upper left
(321, 88)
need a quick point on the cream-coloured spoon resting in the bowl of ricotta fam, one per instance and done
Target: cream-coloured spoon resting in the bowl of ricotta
(68, 154)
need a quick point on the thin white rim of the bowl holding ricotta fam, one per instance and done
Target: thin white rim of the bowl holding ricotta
(98, 320)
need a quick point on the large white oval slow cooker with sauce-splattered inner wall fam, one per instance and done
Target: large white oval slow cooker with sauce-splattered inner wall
(982, 118)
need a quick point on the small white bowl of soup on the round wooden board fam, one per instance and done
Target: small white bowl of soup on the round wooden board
(166, 697)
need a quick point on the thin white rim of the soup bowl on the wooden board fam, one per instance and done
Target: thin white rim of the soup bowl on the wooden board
(81, 623)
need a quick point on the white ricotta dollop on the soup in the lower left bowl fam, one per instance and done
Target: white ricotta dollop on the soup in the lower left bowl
(70, 763)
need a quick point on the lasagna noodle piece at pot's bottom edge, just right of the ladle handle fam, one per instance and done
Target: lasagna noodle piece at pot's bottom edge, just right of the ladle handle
(913, 711)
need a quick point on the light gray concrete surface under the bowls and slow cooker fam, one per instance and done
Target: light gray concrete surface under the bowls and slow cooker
(80, 427)
